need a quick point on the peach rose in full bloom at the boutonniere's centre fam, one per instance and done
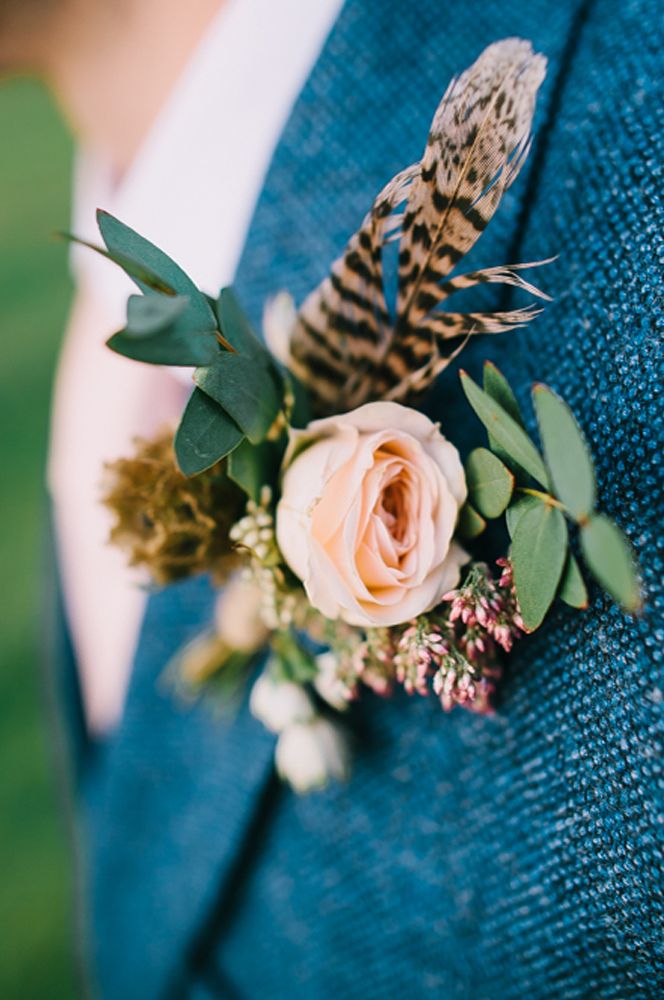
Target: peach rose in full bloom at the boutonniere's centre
(369, 504)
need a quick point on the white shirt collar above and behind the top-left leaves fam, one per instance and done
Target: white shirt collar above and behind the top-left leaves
(194, 183)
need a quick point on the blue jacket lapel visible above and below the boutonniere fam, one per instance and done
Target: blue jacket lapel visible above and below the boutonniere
(178, 790)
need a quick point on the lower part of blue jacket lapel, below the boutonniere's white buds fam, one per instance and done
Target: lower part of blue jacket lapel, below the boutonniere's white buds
(168, 806)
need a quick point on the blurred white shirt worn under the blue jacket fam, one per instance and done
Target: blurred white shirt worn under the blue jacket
(191, 190)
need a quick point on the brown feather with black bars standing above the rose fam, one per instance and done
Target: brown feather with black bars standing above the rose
(347, 346)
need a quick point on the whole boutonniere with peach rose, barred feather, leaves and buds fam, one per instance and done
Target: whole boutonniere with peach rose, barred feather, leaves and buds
(340, 520)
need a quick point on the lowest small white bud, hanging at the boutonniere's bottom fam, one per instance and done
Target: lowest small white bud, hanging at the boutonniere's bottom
(308, 755)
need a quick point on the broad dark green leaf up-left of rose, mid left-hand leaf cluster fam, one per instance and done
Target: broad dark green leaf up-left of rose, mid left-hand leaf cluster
(245, 389)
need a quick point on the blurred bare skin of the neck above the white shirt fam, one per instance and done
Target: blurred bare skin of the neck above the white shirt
(111, 64)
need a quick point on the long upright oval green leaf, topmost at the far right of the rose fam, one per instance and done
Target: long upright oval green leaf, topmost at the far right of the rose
(566, 453)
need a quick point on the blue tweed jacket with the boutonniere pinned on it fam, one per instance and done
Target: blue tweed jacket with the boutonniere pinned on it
(498, 858)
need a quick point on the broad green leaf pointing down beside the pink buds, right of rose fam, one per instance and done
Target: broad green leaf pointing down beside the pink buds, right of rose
(538, 554)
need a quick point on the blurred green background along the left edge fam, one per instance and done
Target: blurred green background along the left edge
(36, 921)
